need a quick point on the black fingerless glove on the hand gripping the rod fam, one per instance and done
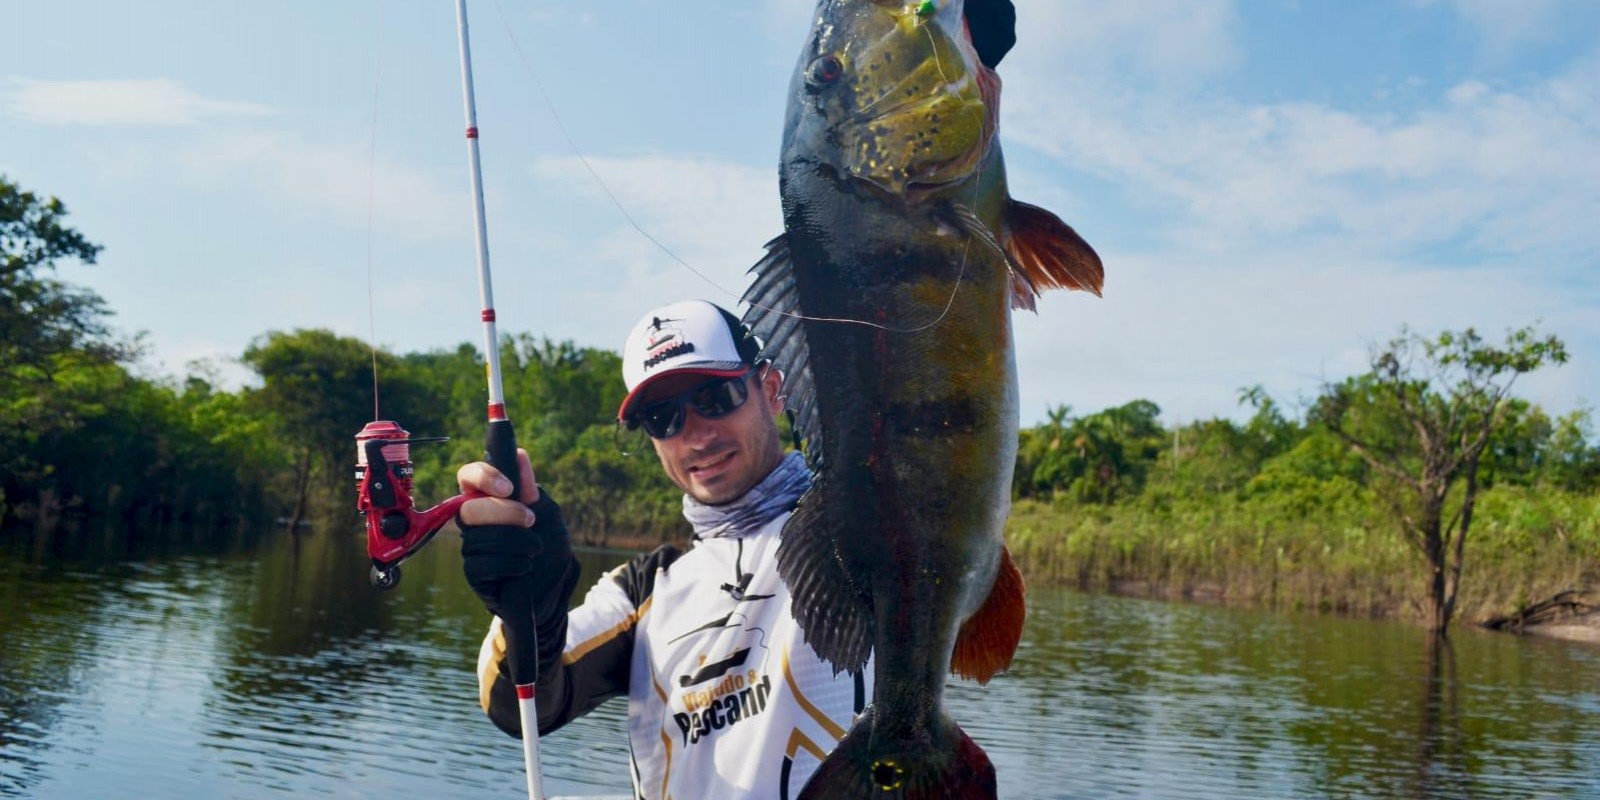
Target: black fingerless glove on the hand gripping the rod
(526, 575)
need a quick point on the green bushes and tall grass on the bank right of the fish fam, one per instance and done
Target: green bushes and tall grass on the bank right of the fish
(1282, 511)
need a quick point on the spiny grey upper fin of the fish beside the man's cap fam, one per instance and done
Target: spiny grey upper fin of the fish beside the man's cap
(775, 318)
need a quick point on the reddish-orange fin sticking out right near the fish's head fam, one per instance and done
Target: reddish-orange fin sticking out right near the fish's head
(1049, 254)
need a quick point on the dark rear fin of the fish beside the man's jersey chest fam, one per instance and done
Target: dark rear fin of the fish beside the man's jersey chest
(833, 612)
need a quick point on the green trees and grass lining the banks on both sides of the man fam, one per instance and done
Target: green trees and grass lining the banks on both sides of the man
(1281, 508)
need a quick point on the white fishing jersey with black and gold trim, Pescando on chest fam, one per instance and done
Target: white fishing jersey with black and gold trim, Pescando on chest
(726, 698)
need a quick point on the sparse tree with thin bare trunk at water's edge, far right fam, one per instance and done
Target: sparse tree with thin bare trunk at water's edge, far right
(1423, 420)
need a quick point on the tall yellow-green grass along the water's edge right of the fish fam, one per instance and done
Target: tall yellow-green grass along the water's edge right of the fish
(1345, 554)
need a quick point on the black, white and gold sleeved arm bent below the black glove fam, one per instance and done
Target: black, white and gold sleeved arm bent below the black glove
(598, 657)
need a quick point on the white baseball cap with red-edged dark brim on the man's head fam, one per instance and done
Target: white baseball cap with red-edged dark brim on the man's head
(689, 337)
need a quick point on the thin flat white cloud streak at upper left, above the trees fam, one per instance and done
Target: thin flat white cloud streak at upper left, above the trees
(110, 103)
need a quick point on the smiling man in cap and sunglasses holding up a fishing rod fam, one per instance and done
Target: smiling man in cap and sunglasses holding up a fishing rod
(726, 698)
